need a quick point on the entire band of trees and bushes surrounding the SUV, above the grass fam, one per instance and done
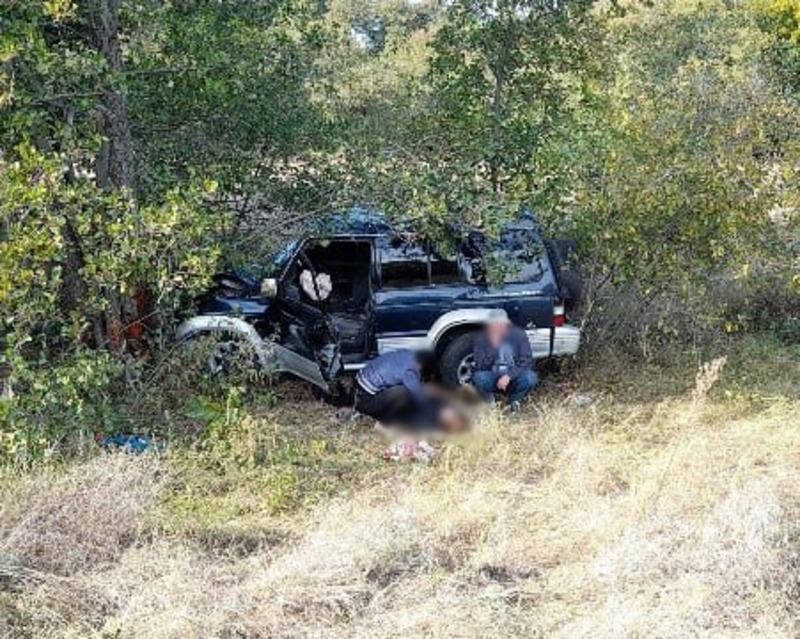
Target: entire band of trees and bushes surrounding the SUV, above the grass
(663, 137)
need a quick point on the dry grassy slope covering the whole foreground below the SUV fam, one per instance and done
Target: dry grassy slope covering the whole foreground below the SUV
(618, 506)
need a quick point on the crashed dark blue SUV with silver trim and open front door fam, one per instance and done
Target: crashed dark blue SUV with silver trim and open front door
(389, 287)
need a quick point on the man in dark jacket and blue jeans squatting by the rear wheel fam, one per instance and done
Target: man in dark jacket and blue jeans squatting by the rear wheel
(503, 361)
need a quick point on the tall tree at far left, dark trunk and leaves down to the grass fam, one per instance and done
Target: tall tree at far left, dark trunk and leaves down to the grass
(79, 250)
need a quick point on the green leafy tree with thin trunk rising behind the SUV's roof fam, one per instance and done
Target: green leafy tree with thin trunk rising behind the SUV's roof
(498, 80)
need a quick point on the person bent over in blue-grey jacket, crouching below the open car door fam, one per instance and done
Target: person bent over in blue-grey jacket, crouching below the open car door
(390, 390)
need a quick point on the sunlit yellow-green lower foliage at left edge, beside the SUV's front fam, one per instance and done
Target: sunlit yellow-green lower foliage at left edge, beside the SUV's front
(69, 251)
